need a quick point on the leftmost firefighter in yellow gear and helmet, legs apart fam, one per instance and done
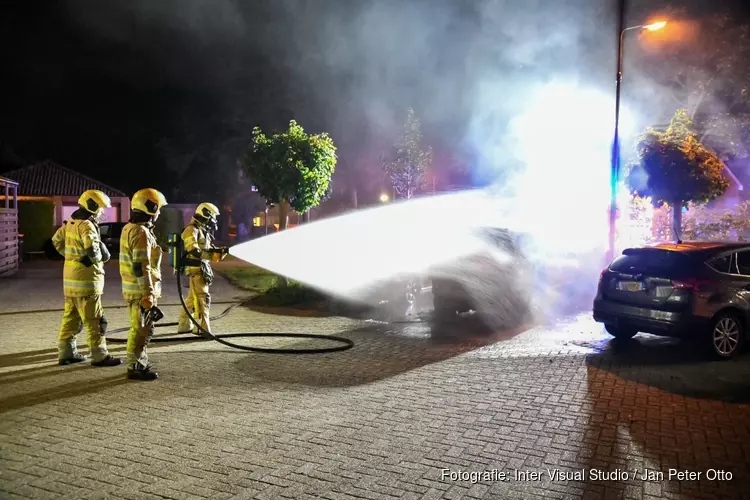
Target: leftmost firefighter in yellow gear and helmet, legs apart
(79, 241)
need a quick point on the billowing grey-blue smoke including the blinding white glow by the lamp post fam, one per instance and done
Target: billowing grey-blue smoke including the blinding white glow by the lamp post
(524, 89)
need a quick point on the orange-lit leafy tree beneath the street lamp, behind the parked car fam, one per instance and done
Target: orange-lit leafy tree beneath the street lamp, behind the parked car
(675, 168)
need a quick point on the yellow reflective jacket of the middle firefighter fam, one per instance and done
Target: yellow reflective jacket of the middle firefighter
(140, 261)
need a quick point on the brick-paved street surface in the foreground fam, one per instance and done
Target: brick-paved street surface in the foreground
(381, 420)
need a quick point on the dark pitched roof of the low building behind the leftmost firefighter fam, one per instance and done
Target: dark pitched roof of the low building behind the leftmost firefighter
(47, 178)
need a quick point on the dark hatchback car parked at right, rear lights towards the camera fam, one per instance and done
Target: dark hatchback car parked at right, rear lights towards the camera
(698, 290)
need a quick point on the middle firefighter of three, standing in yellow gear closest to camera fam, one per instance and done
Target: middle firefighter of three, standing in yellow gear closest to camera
(140, 269)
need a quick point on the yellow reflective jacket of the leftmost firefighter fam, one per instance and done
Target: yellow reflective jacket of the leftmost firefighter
(79, 242)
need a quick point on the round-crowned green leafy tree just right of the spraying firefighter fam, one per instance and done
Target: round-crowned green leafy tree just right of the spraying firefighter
(290, 169)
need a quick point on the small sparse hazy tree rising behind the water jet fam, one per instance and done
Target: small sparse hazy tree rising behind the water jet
(406, 163)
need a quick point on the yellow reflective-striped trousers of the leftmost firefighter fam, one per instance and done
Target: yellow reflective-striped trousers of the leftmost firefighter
(82, 313)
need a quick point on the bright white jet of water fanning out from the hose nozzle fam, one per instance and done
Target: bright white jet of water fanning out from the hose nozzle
(349, 254)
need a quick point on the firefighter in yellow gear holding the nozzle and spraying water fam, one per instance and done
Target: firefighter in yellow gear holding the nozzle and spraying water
(197, 241)
